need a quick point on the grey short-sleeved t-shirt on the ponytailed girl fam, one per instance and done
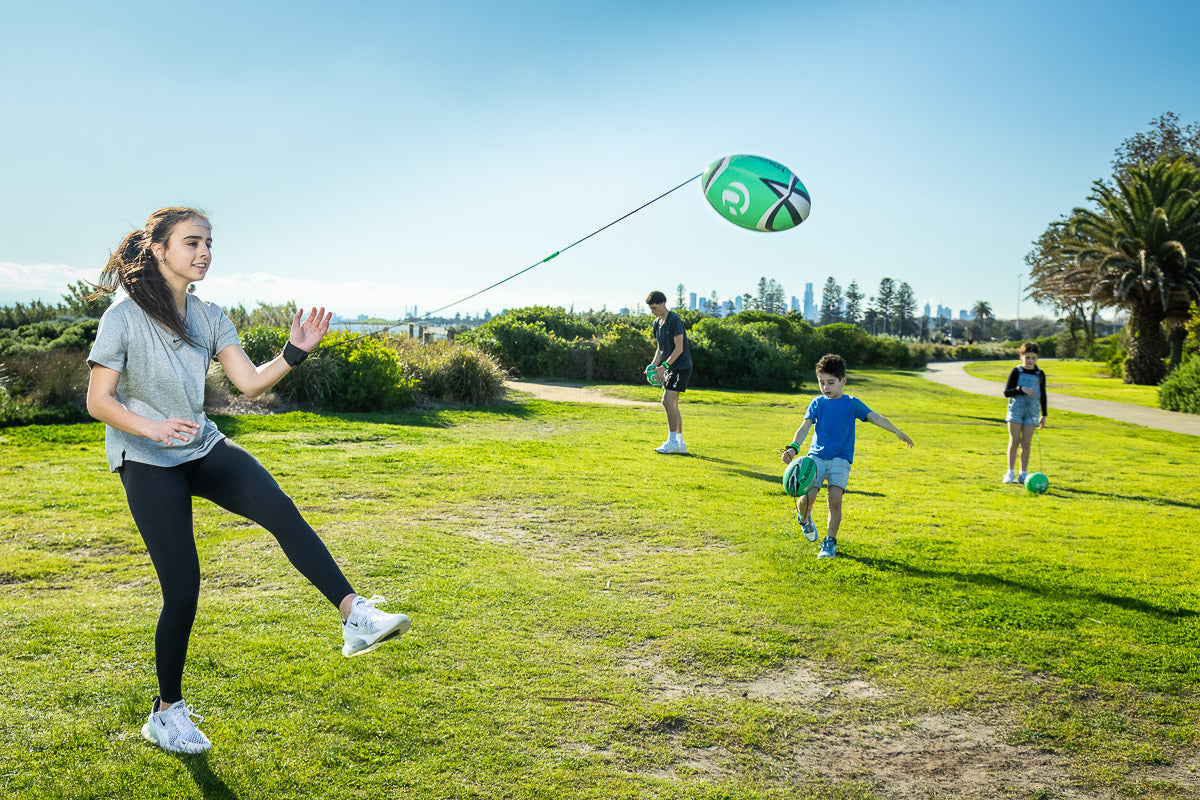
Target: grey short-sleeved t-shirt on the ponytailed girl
(163, 377)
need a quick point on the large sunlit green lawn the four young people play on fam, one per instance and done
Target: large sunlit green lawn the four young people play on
(592, 621)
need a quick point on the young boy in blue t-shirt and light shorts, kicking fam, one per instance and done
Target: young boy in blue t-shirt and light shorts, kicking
(833, 416)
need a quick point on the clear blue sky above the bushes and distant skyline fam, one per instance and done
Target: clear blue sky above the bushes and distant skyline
(374, 157)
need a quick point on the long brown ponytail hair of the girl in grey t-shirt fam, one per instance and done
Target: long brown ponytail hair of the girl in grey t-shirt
(133, 267)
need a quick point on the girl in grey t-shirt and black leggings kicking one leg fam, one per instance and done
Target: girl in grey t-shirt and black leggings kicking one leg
(147, 384)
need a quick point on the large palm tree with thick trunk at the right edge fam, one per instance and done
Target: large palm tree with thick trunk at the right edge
(1144, 242)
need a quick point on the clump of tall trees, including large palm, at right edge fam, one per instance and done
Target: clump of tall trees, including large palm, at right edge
(1136, 248)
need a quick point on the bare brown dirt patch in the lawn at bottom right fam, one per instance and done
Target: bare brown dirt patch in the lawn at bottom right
(941, 755)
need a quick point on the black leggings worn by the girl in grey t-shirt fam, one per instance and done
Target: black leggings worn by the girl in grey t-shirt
(161, 502)
